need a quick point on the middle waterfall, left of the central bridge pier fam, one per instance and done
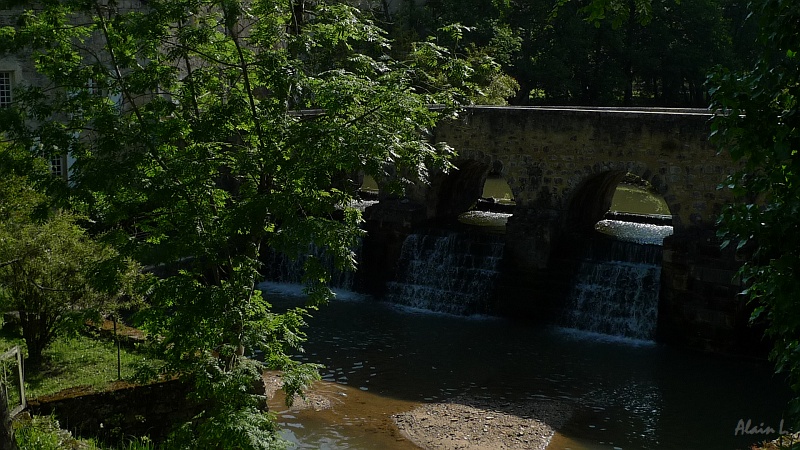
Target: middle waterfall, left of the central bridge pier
(447, 272)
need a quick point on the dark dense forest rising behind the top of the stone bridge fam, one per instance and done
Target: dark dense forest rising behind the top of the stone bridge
(632, 53)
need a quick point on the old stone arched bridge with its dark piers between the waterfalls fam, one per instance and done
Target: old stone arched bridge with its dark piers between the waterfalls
(563, 166)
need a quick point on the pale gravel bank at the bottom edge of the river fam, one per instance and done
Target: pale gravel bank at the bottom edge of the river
(464, 422)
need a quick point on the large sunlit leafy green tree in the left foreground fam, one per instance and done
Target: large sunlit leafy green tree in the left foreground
(205, 131)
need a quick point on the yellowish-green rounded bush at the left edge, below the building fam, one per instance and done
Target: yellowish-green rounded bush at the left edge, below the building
(49, 266)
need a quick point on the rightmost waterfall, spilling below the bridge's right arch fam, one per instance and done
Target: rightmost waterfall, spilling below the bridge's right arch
(616, 290)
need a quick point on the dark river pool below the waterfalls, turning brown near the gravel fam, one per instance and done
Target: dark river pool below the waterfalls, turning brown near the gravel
(382, 359)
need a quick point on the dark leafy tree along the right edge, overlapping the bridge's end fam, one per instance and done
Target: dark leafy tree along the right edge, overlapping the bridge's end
(757, 122)
